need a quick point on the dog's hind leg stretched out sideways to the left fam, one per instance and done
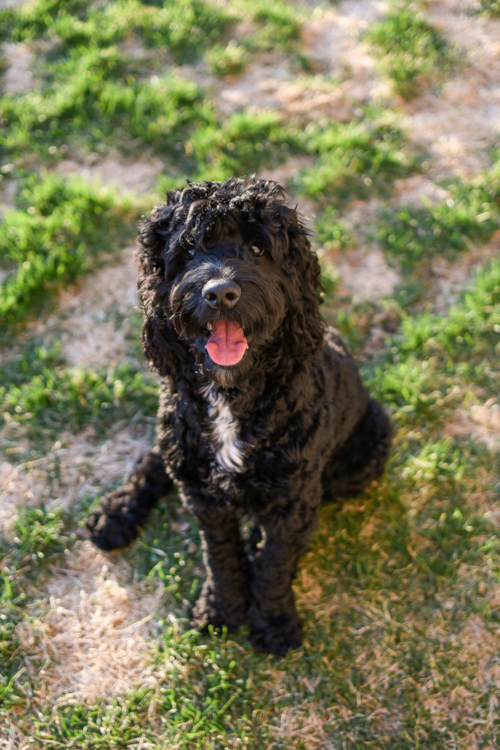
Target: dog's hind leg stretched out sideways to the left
(117, 520)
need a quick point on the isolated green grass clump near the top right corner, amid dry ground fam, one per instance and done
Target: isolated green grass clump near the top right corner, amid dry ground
(412, 52)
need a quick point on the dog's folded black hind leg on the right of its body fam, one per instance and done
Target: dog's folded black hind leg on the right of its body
(361, 458)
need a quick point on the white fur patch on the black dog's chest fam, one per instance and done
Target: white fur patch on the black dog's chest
(229, 449)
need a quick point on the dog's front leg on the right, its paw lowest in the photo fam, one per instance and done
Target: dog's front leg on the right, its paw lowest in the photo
(275, 624)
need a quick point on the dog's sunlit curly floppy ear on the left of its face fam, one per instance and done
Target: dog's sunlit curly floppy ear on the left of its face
(160, 342)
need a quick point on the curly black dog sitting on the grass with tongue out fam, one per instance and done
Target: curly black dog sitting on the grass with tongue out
(262, 411)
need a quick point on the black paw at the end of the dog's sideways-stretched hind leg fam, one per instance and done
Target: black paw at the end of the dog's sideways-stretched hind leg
(112, 525)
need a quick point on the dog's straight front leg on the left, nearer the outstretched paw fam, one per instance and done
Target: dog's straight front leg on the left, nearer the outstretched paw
(226, 592)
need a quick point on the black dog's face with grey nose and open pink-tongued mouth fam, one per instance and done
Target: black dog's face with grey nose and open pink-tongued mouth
(228, 300)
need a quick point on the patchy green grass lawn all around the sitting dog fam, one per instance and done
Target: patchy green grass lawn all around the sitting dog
(399, 591)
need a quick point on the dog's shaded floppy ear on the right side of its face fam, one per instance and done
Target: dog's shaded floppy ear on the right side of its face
(303, 326)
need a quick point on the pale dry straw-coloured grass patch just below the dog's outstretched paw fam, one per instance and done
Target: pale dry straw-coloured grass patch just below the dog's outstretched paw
(89, 631)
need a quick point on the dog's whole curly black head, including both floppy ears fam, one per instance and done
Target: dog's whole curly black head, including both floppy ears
(229, 281)
